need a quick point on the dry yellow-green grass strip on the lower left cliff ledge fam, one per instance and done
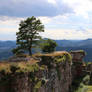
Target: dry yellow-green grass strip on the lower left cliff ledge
(12, 67)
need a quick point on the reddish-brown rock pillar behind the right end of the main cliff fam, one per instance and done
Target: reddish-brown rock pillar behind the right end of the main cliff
(77, 63)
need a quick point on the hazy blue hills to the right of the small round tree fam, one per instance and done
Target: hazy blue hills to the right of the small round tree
(69, 45)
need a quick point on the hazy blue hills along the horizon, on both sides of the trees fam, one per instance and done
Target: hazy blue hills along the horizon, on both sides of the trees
(68, 45)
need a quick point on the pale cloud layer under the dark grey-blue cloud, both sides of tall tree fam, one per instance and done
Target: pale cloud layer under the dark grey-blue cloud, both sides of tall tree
(58, 27)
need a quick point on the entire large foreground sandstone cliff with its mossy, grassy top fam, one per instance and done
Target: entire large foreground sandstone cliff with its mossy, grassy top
(55, 77)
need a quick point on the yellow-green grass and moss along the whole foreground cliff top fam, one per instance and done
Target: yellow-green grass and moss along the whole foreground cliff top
(31, 65)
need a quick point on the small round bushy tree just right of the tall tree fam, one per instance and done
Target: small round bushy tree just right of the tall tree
(48, 46)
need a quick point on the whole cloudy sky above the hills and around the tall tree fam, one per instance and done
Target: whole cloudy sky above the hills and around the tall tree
(63, 19)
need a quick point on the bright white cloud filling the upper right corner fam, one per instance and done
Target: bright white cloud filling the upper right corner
(81, 7)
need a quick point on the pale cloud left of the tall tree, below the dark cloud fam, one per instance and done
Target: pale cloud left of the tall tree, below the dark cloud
(8, 27)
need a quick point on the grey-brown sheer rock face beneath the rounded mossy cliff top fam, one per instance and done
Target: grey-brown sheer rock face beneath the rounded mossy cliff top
(58, 75)
